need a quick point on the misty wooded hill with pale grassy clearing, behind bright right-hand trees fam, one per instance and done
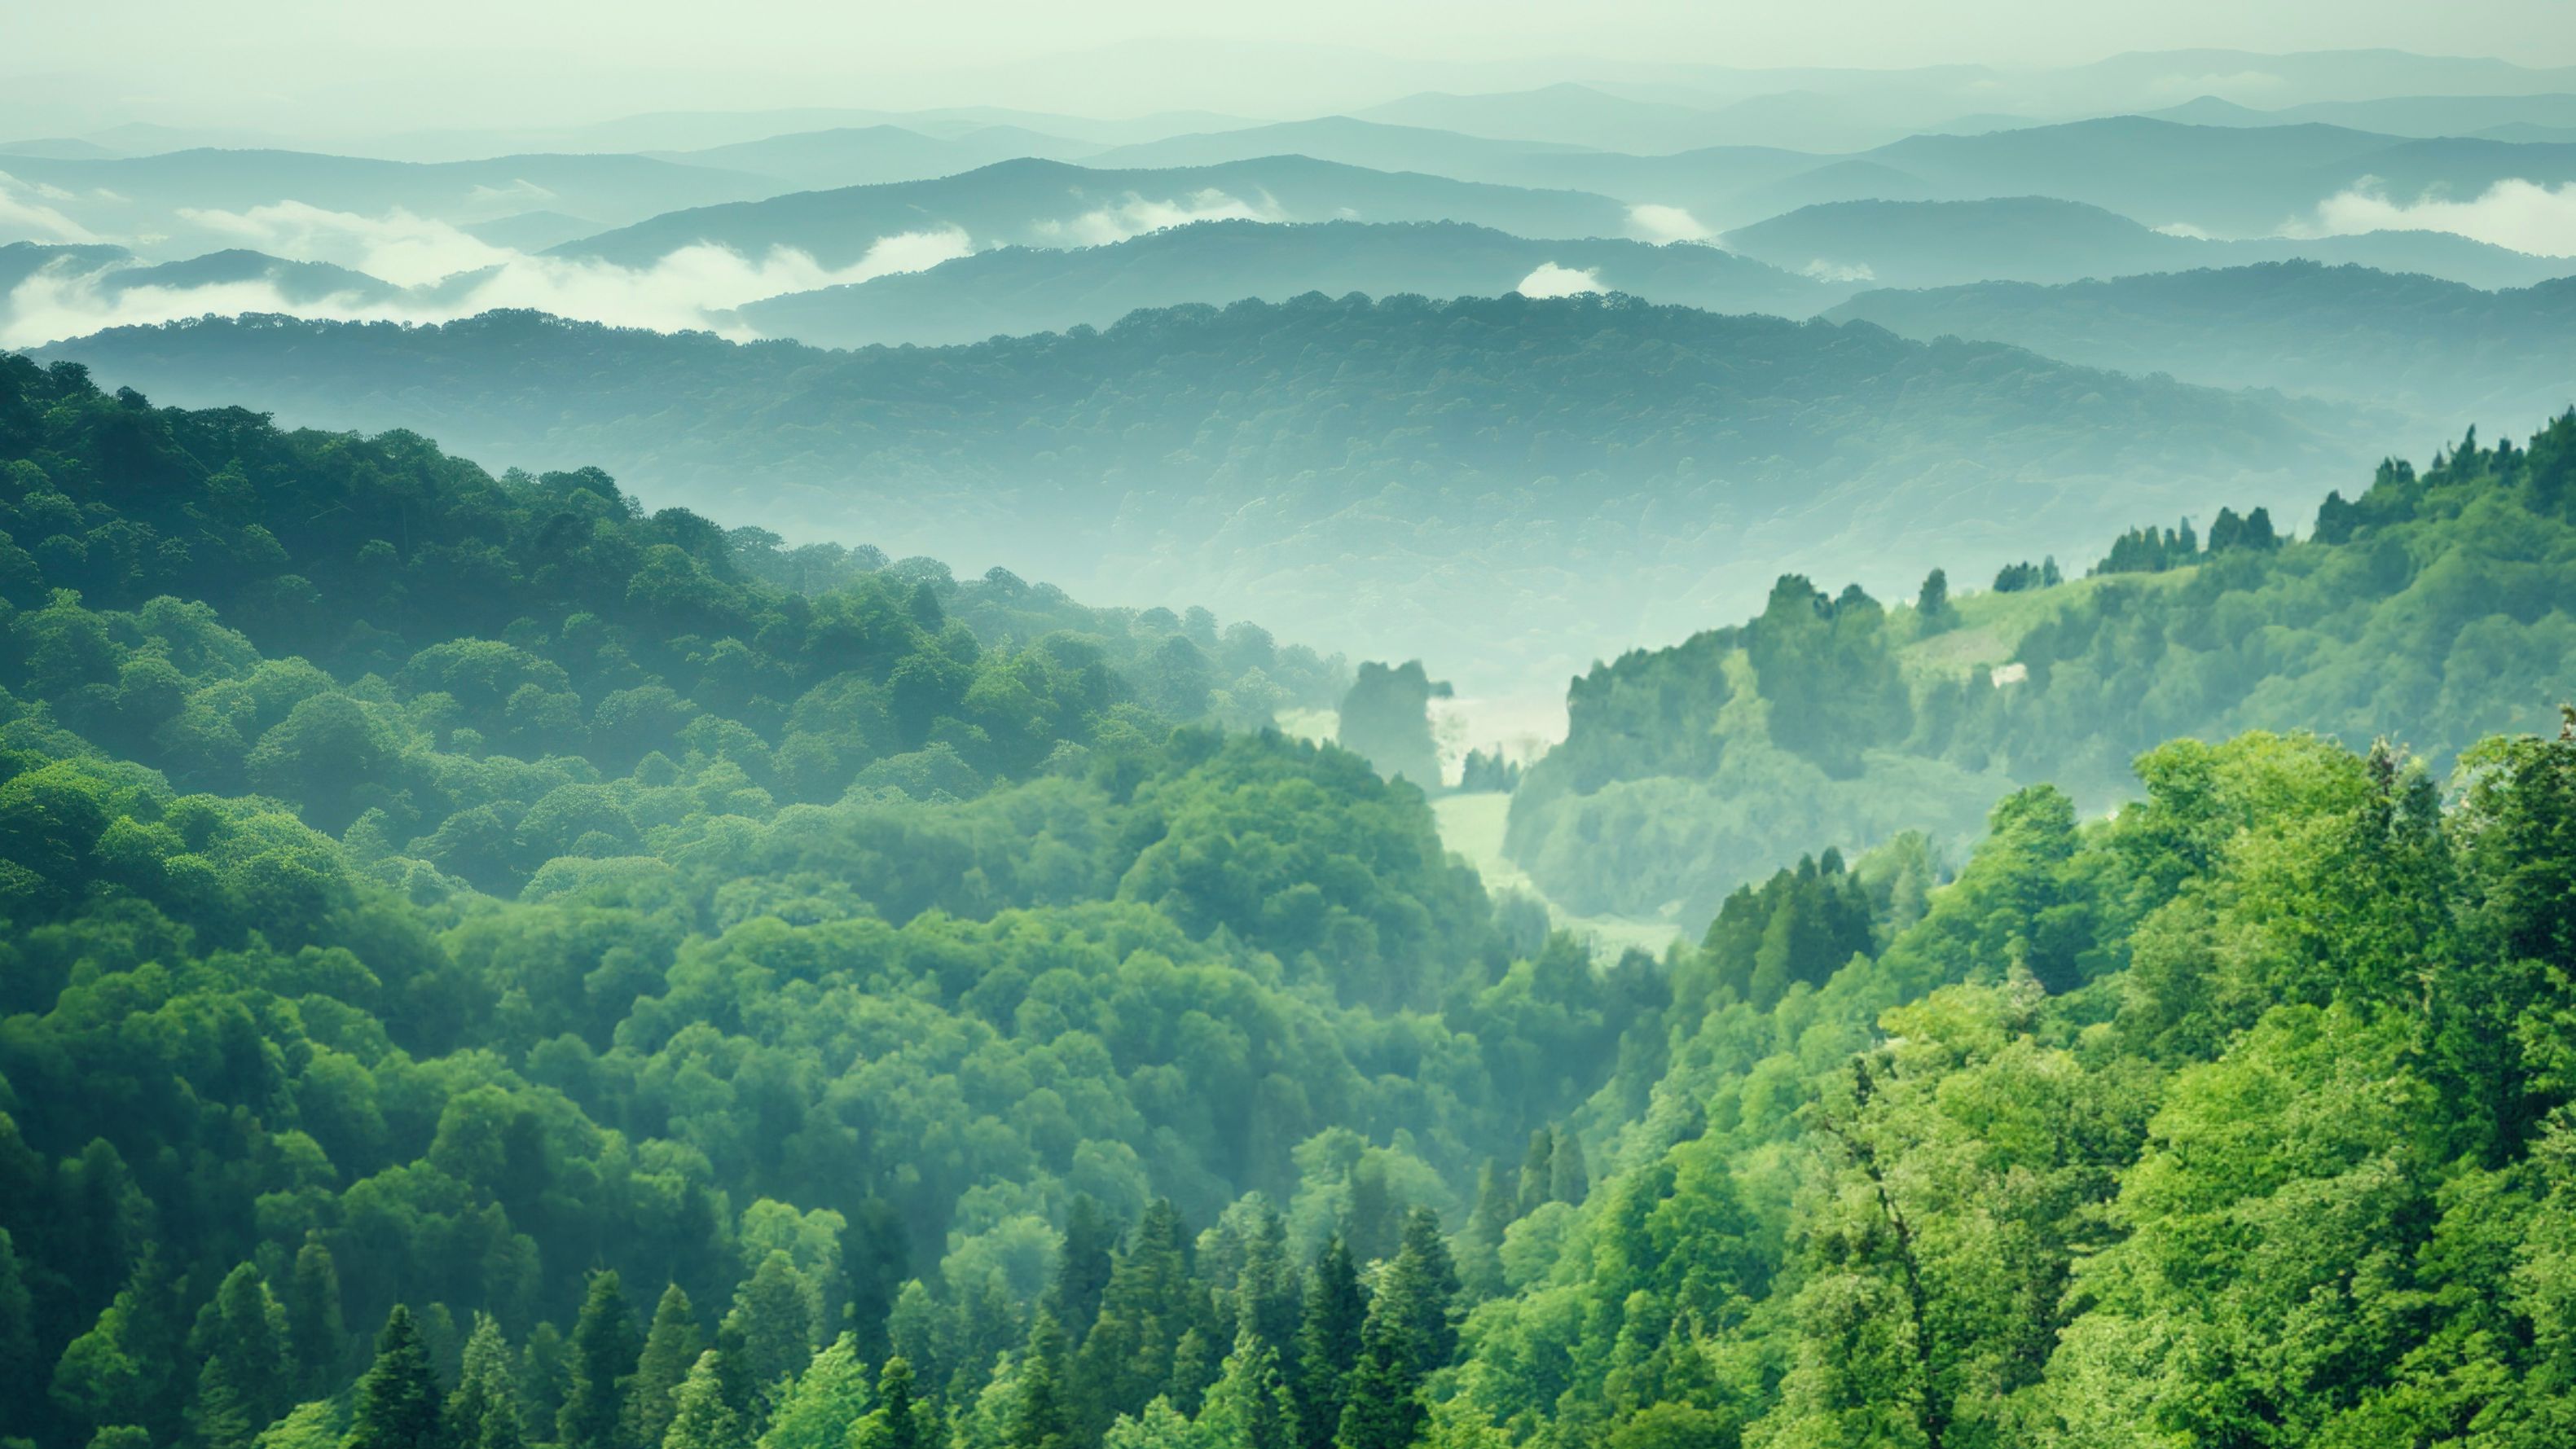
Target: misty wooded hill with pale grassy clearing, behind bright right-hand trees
(2433, 609)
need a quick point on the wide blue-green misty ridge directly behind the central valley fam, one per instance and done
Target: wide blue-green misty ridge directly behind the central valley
(1498, 485)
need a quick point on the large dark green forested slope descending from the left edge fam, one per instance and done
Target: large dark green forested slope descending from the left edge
(470, 894)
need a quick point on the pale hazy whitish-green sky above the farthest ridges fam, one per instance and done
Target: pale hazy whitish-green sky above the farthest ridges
(483, 63)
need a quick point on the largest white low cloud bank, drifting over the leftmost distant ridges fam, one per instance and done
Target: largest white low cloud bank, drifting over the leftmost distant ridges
(442, 274)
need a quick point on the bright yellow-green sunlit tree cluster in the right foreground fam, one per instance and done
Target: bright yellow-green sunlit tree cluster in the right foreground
(2240, 1118)
